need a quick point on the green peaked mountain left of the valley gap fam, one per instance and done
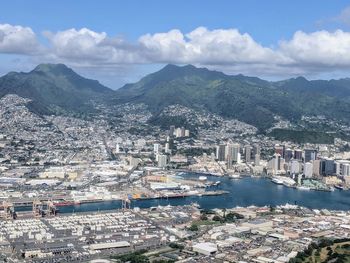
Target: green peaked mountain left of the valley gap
(53, 88)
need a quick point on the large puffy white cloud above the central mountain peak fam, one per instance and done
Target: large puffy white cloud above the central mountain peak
(202, 46)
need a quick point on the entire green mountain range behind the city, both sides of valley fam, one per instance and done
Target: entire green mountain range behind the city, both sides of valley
(55, 88)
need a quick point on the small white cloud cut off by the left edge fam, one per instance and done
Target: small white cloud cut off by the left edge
(18, 40)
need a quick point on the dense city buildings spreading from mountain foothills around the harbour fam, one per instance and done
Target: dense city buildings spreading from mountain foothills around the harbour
(48, 163)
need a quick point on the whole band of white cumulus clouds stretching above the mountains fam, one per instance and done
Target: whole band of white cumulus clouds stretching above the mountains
(223, 49)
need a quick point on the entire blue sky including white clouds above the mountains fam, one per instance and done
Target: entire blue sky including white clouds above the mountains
(118, 42)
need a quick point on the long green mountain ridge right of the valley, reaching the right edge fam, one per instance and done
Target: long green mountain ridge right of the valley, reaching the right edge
(249, 99)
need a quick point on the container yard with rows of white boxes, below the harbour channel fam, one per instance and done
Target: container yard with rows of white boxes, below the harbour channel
(86, 236)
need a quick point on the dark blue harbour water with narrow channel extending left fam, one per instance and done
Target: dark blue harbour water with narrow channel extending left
(243, 192)
